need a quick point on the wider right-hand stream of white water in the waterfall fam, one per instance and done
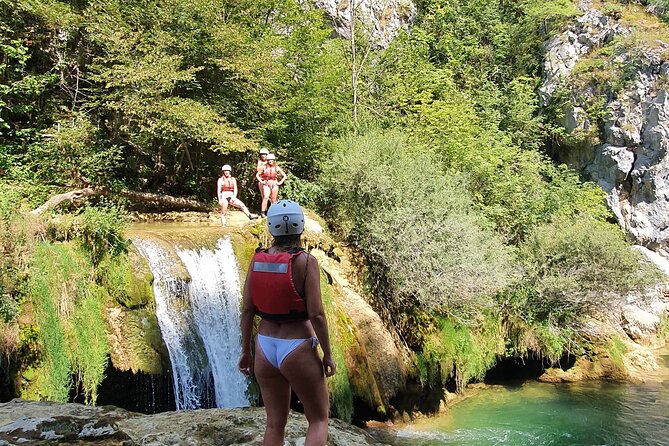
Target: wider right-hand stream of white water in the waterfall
(214, 291)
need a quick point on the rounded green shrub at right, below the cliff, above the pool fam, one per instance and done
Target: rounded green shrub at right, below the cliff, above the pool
(578, 266)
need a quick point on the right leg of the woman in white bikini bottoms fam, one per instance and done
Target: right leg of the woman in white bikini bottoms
(303, 369)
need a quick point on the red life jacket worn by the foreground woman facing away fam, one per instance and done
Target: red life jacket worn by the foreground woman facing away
(273, 292)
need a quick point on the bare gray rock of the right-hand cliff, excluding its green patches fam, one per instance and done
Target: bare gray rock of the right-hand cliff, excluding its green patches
(629, 160)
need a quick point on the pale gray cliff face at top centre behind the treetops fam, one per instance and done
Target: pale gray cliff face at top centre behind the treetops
(382, 18)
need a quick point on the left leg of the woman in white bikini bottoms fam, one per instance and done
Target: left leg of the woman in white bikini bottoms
(275, 392)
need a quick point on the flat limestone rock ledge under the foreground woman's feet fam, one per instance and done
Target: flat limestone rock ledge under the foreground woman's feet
(44, 423)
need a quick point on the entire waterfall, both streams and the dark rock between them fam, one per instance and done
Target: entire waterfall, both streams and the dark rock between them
(199, 322)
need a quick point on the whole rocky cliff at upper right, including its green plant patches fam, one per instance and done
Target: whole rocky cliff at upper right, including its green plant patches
(607, 77)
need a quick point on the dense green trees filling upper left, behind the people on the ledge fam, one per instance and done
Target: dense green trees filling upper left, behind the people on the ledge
(149, 95)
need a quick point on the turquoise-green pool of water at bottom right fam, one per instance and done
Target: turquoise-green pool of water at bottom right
(552, 414)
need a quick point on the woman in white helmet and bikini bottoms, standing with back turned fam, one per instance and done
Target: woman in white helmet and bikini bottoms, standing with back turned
(283, 288)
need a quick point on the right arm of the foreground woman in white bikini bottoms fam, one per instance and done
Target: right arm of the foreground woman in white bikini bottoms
(312, 296)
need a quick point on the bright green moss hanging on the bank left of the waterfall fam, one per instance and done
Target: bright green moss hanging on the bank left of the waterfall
(69, 322)
